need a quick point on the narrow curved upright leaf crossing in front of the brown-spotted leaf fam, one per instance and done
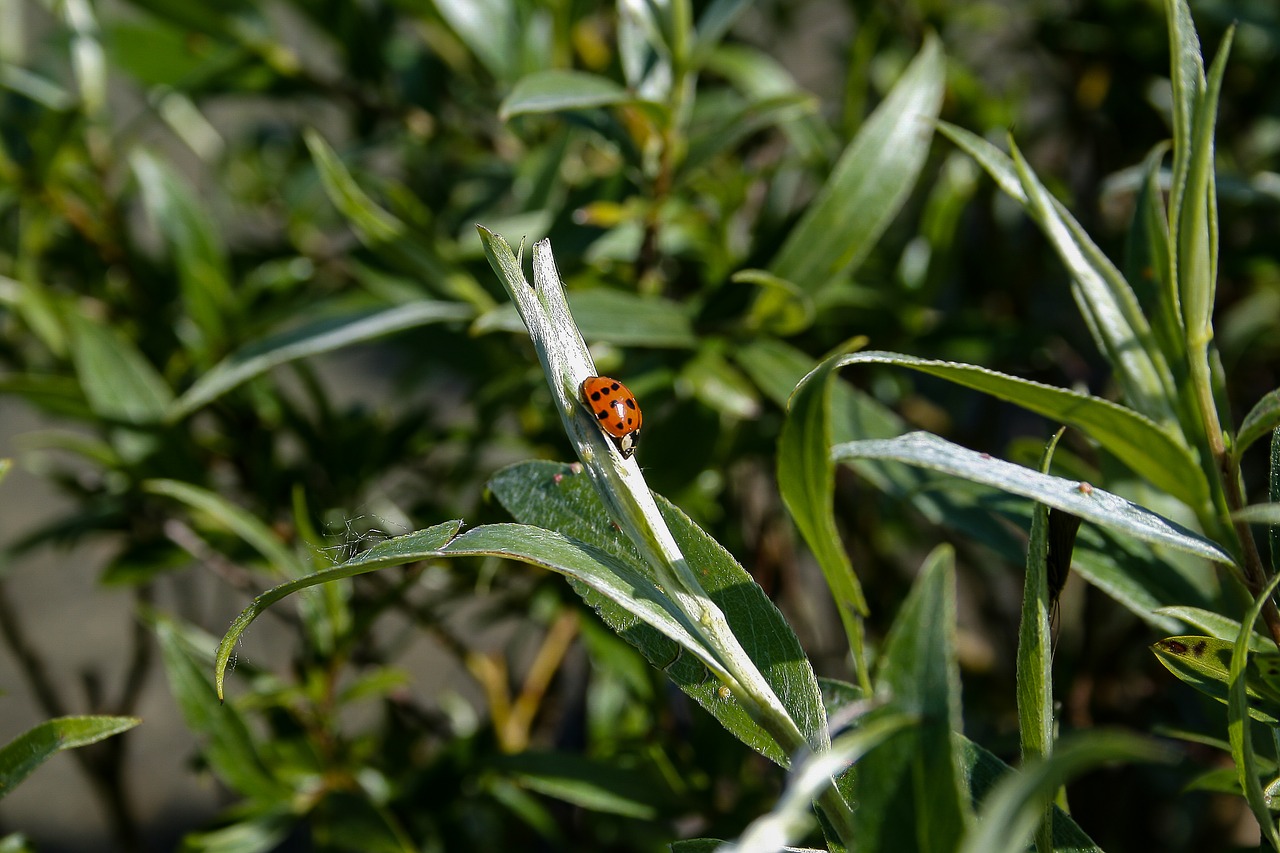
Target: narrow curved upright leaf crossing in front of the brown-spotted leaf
(1240, 711)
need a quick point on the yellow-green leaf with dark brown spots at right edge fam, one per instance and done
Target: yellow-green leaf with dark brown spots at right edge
(1205, 663)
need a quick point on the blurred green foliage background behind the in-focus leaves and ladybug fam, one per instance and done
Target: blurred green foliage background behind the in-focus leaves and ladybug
(163, 218)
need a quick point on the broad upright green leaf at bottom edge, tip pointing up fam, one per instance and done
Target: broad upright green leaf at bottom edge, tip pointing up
(912, 797)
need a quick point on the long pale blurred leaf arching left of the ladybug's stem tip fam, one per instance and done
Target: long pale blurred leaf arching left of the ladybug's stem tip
(309, 340)
